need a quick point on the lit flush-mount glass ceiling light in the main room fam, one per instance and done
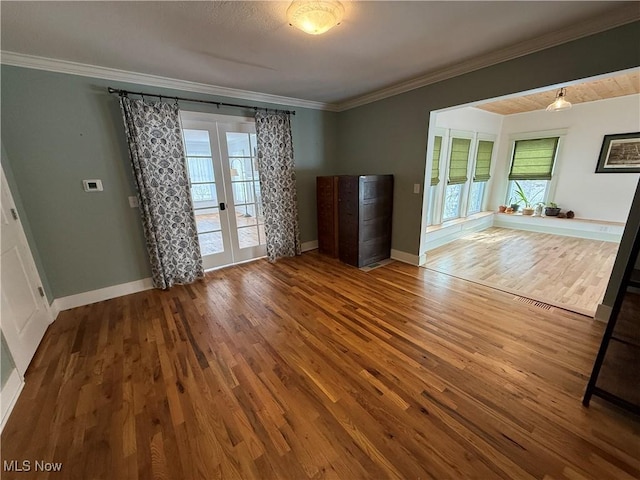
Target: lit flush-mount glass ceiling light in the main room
(315, 17)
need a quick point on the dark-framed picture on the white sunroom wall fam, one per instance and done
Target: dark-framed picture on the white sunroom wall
(620, 153)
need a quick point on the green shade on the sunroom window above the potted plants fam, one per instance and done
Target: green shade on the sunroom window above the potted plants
(533, 159)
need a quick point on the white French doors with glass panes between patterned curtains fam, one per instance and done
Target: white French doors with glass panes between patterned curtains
(222, 165)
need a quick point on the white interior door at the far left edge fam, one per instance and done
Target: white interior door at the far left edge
(25, 312)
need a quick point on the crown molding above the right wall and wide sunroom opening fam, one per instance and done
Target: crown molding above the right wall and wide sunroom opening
(616, 18)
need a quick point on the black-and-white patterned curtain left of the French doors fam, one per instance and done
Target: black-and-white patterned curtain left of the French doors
(157, 154)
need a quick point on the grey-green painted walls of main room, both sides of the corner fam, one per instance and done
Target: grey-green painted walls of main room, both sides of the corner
(58, 129)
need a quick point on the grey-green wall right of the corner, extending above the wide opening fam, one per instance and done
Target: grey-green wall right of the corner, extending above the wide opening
(390, 136)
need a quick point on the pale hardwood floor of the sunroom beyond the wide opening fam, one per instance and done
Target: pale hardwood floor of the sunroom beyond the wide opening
(566, 272)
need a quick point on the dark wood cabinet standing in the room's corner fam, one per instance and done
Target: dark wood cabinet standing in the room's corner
(364, 209)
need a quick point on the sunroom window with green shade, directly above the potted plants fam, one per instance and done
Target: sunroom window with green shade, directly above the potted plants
(532, 167)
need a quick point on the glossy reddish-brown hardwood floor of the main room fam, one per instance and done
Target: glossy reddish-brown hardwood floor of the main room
(308, 368)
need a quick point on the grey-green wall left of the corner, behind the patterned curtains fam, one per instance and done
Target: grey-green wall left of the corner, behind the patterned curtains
(59, 129)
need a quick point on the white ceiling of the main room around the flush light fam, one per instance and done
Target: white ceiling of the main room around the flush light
(249, 46)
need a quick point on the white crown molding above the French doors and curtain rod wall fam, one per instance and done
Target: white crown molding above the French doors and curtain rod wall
(94, 71)
